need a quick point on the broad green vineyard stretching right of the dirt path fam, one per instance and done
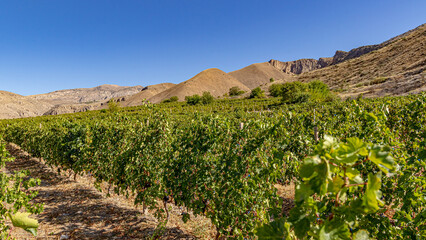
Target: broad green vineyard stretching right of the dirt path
(359, 165)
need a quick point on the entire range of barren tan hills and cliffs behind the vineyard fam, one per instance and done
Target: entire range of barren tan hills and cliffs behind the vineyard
(394, 67)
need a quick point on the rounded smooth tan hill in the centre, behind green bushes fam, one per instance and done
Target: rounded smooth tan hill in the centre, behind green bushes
(213, 80)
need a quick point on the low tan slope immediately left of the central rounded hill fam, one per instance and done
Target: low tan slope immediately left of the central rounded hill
(146, 93)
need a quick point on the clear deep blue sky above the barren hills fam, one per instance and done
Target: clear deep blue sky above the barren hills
(48, 45)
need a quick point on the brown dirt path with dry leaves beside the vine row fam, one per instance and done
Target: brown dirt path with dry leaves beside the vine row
(76, 210)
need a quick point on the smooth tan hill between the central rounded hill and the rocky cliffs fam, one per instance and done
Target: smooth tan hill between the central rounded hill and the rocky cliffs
(258, 74)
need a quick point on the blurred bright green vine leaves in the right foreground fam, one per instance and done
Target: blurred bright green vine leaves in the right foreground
(334, 198)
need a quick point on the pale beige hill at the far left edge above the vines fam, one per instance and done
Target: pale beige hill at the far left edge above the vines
(17, 106)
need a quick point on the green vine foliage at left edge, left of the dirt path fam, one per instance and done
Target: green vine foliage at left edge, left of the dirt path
(14, 196)
